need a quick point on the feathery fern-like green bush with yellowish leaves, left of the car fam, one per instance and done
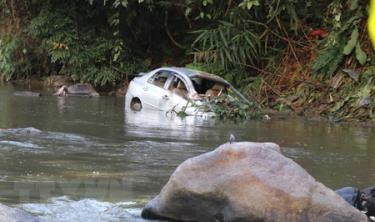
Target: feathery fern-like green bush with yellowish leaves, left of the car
(84, 53)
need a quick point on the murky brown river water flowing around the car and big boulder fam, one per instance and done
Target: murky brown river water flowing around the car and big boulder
(94, 161)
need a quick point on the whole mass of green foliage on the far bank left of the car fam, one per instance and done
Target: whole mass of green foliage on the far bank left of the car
(70, 38)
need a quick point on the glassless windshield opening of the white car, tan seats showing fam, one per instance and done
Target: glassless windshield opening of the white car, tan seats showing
(208, 87)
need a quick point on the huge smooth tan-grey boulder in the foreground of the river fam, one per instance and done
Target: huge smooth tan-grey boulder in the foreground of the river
(247, 182)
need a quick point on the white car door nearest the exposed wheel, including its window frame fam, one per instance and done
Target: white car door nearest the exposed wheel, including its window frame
(154, 92)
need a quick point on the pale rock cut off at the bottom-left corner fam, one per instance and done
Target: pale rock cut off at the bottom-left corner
(8, 214)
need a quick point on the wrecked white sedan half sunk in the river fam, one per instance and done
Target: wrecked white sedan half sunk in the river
(175, 89)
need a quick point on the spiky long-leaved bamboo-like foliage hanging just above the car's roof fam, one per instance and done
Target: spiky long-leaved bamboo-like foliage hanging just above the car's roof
(249, 33)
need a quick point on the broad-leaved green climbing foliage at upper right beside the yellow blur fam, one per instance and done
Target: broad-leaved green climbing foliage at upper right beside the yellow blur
(345, 28)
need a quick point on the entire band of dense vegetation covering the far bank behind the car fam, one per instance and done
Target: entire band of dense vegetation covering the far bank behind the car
(311, 56)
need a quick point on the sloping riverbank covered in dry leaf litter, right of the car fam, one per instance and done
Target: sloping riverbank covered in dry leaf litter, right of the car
(342, 98)
